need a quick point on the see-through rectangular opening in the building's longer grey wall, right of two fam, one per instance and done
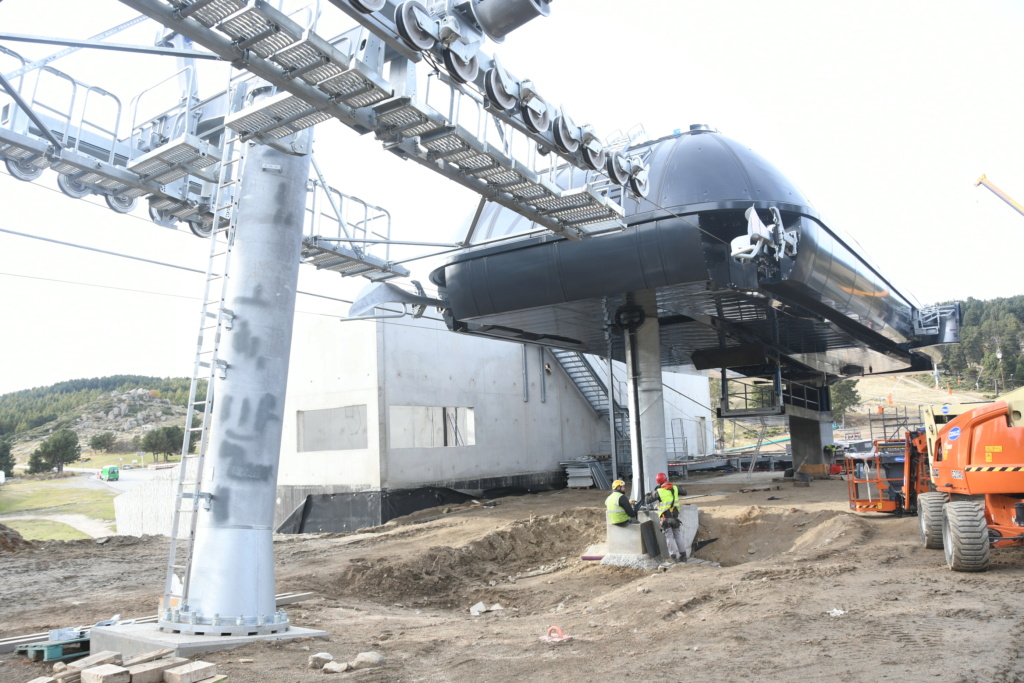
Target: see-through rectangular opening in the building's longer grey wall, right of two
(432, 426)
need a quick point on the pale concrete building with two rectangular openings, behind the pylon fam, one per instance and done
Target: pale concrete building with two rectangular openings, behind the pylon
(370, 408)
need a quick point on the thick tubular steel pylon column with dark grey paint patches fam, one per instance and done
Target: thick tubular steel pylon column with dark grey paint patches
(233, 565)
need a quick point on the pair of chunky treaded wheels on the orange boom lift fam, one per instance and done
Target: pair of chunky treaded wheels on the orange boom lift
(958, 528)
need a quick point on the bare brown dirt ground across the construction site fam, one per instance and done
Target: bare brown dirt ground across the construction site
(806, 590)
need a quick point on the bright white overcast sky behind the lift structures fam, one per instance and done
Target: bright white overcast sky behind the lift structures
(884, 113)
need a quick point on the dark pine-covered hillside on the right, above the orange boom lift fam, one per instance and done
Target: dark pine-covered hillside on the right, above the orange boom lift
(991, 329)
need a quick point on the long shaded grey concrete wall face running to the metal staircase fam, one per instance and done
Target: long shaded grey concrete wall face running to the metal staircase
(514, 432)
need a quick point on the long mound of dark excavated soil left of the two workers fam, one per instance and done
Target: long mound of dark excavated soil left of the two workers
(442, 572)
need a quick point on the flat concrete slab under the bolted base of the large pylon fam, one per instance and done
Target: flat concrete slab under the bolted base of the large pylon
(139, 638)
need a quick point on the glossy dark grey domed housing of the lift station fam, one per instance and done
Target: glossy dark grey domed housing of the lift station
(825, 312)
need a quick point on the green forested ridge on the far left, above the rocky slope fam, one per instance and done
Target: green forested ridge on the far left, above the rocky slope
(22, 411)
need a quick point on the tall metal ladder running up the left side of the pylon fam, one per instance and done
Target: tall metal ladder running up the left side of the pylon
(215, 319)
